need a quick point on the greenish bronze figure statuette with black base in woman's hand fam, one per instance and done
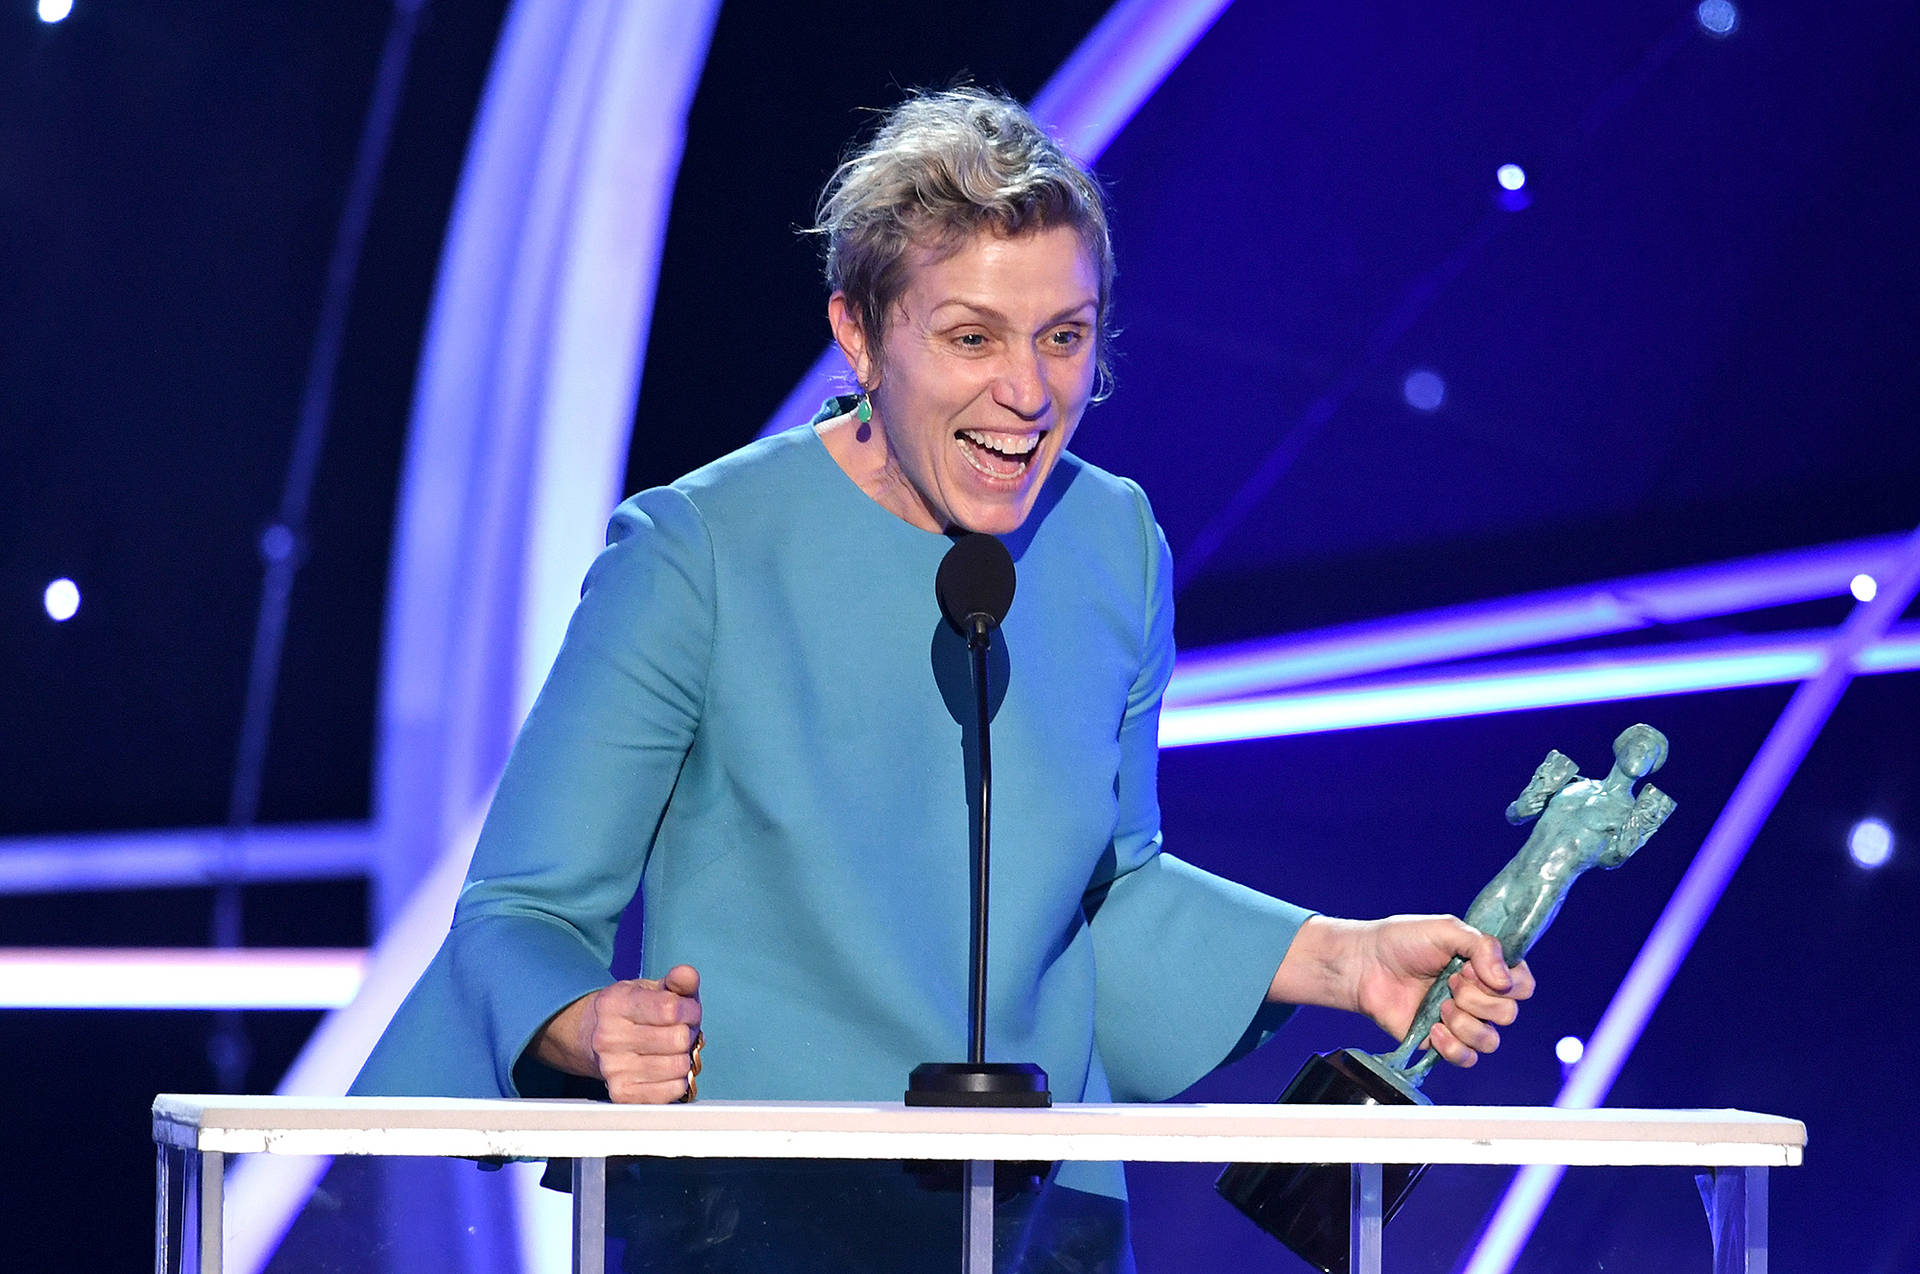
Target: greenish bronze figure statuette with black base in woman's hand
(1583, 824)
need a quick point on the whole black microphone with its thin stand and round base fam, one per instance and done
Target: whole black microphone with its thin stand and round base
(976, 590)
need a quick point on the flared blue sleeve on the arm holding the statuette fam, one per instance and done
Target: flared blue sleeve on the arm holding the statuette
(1184, 958)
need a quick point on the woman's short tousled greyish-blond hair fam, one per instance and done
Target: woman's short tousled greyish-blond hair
(940, 170)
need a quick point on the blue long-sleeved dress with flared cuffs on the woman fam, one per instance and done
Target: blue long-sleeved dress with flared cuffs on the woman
(756, 719)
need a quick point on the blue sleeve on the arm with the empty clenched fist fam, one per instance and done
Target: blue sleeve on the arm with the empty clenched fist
(573, 822)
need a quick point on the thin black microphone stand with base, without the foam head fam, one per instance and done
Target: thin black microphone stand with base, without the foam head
(980, 1081)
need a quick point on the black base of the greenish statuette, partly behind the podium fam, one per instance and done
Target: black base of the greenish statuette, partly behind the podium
(1307, 1206)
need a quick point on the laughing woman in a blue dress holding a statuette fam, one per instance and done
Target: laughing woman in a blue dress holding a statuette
(748, 720)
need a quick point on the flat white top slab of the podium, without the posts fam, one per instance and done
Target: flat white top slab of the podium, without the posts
(466, 1127)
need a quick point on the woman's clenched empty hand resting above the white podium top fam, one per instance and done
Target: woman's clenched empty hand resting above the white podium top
(638, 1037)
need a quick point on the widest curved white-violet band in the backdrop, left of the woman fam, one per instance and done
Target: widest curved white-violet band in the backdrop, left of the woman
(517, 444)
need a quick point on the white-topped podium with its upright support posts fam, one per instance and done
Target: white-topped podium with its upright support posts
(199, 1135)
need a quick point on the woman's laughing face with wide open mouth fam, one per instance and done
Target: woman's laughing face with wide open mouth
(988, 366)
